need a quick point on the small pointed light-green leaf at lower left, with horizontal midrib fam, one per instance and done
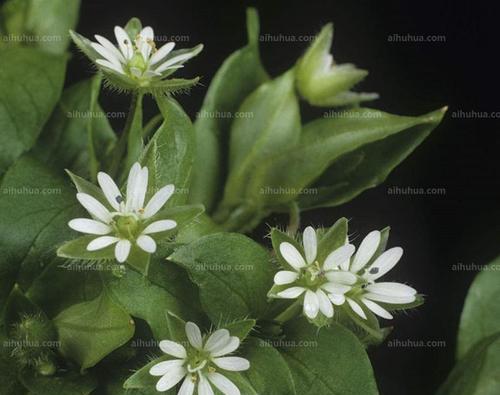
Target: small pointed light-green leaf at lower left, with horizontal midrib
(89, 331)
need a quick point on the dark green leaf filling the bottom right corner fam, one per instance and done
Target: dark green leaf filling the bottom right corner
(477, 372)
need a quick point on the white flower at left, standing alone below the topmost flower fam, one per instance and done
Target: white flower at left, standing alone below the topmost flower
(129, 222)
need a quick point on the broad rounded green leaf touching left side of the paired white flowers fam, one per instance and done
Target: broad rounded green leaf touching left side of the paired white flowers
(233, 273)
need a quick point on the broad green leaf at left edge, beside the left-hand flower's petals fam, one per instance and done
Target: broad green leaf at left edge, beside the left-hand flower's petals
(35, 207)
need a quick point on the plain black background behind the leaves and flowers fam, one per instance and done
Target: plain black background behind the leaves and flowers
(436, 231)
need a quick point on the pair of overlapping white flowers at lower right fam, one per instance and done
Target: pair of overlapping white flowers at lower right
(342, 277)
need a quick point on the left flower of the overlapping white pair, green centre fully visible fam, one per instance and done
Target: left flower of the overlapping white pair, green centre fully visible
(323, 285)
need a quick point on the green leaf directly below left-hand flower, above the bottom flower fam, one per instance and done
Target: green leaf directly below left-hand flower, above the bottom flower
(167, 289)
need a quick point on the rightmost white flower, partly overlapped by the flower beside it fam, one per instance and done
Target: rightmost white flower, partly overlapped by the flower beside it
(370, 292)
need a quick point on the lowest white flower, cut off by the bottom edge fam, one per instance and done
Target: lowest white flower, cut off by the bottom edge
(199, 365)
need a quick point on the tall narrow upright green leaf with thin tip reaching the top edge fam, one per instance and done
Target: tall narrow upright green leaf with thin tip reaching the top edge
(240, 74)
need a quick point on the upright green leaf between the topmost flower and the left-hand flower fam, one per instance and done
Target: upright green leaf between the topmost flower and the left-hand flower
(173, 146)
